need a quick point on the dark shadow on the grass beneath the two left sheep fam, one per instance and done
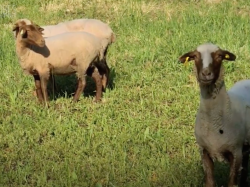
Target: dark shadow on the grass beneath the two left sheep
(65, 86)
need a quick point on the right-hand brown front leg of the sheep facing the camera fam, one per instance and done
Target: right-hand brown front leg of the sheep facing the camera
(235, 164)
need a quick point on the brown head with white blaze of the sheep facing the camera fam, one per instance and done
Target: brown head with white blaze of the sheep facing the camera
(208, 61)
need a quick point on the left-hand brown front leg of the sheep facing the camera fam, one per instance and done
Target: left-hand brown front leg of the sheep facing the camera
(208, 166)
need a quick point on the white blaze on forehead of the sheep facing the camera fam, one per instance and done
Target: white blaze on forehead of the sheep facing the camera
(205, 51)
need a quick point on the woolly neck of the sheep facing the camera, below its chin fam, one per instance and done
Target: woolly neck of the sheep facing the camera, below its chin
(214, 104)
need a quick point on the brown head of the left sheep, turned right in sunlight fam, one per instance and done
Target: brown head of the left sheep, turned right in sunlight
(29, 32)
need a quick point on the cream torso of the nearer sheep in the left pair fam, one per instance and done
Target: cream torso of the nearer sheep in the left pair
(67, 53)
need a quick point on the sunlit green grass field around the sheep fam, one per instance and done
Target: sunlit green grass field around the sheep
(142, 134)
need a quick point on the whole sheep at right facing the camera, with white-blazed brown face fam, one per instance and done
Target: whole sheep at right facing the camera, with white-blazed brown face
(223, 119)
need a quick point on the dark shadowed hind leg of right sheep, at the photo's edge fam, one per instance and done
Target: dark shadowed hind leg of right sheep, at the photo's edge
(244, 171)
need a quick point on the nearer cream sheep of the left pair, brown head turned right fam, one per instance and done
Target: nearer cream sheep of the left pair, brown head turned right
(62, 54)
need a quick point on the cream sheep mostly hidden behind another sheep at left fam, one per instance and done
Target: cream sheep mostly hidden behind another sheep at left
(92, 26)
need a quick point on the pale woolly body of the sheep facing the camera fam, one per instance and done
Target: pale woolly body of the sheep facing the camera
(227, 113)
